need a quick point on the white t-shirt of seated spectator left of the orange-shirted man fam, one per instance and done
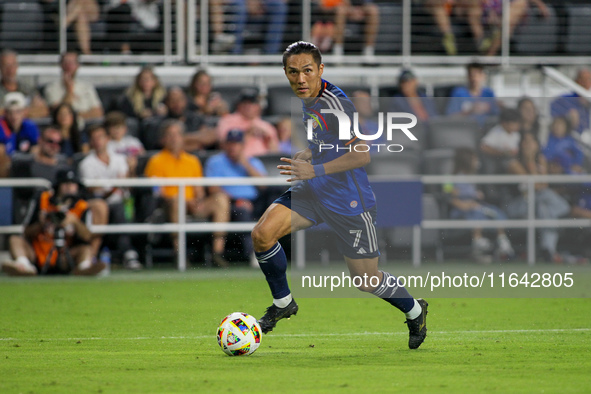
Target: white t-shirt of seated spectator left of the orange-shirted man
(94, 168)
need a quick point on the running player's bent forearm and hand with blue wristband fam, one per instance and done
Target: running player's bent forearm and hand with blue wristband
(301, 170)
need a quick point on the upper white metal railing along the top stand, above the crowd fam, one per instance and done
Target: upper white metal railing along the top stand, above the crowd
(183, 41)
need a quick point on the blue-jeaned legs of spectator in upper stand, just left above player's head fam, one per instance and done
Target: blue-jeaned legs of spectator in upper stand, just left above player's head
(271, 13)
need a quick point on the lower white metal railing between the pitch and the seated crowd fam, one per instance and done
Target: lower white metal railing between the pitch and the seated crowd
(182, 227)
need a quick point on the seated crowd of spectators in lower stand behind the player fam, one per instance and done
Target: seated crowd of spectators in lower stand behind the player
(178, 131)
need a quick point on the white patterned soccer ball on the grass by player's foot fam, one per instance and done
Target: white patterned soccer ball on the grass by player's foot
(239, 334)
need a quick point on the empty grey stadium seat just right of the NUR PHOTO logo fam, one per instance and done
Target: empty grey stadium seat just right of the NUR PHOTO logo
(453, 132)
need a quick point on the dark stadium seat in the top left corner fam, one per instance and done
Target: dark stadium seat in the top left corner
(21, 25)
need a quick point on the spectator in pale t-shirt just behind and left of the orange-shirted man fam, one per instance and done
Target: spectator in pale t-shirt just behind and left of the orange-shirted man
(122, 143)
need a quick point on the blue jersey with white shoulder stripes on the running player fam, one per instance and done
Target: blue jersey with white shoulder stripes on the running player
(346, 193)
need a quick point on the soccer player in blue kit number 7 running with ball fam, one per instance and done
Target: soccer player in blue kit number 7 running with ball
(334, 188)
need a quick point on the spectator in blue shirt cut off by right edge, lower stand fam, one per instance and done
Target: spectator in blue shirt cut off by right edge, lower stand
(574, 107)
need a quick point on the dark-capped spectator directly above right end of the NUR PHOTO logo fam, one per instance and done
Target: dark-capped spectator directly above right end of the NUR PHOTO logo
(411, 100)
